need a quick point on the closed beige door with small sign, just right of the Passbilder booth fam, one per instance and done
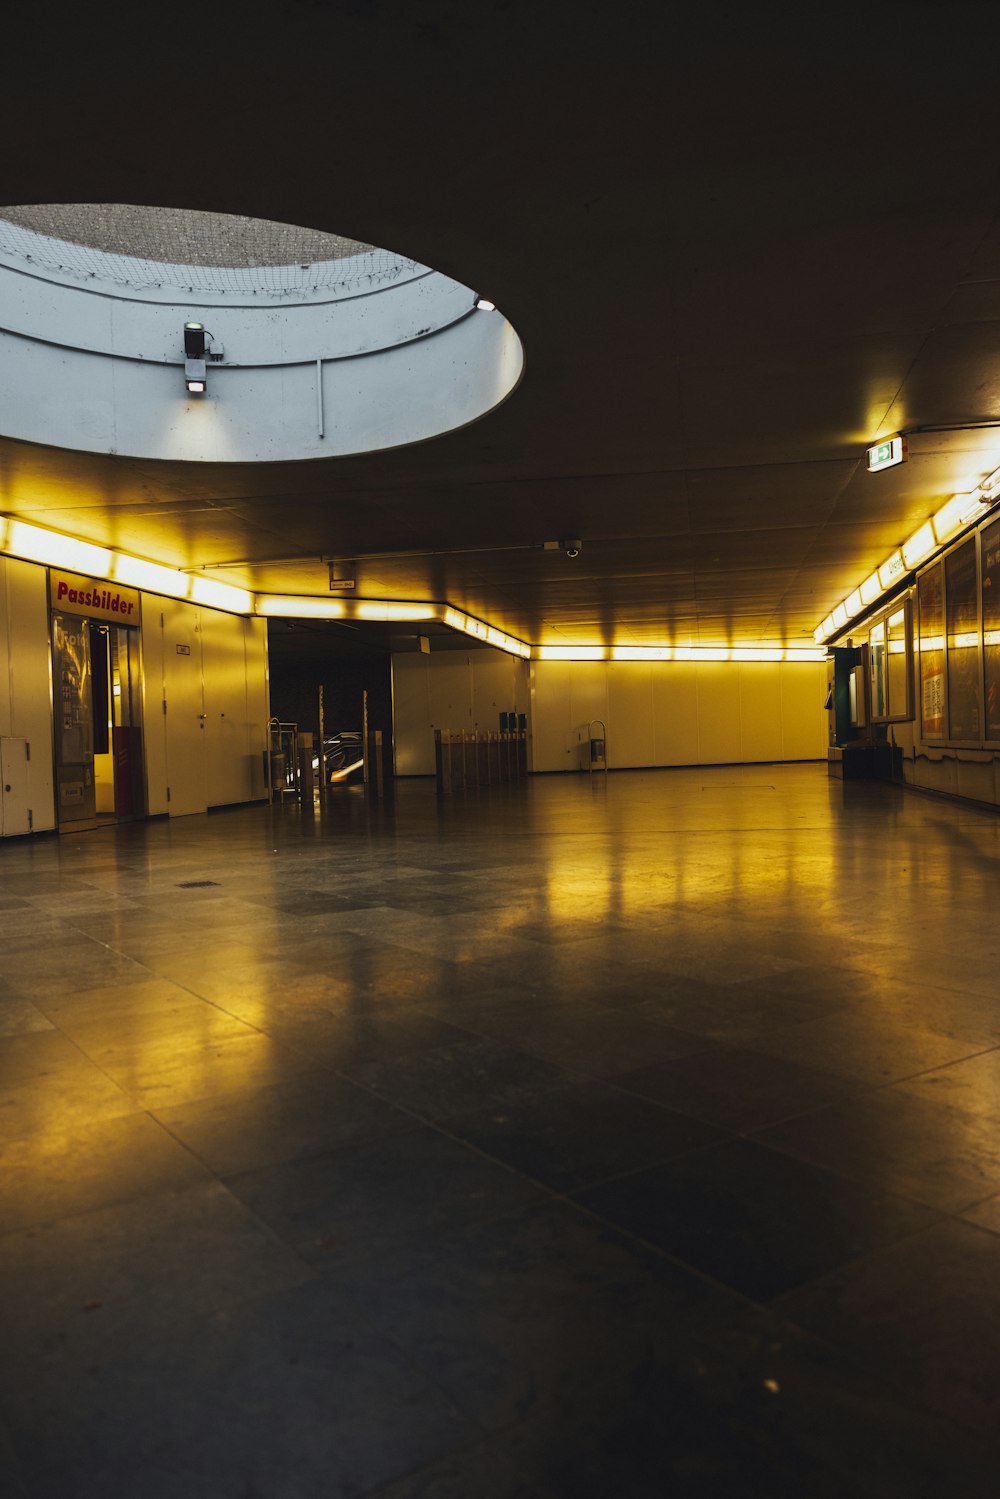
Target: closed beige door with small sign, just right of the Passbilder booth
(185, 698)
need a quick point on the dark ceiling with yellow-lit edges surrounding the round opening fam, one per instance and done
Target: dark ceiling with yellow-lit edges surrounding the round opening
(738, 244)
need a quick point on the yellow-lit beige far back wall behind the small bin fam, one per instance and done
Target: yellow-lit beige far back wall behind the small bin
(677, 713)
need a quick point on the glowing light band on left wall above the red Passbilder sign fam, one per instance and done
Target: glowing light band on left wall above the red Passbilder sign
(50, 548)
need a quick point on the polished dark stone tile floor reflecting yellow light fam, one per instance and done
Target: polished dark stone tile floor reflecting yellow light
(614, 1140)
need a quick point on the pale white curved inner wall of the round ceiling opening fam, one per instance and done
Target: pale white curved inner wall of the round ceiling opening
(317, 358)
